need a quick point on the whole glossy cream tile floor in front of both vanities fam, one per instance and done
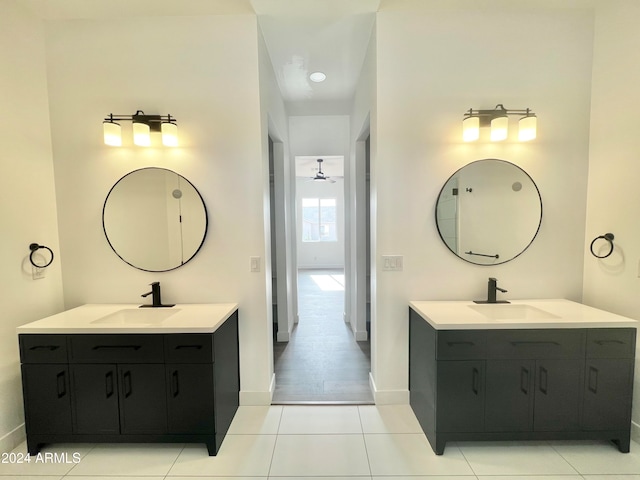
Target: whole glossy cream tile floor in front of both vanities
(346, 442)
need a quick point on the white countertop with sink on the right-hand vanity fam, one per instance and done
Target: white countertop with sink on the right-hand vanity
(553, 313)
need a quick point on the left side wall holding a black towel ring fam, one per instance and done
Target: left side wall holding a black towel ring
(28, 208)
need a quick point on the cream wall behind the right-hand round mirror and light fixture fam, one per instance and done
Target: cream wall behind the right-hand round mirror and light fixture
(433, 64)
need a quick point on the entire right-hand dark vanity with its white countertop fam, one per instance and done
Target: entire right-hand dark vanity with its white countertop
(527, 370)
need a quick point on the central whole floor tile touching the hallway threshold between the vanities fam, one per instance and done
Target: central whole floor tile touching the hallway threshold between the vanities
(307, 419)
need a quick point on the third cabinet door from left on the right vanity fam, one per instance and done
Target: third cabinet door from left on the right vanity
(557, 395)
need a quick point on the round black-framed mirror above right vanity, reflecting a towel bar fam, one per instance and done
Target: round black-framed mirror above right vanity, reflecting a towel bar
(489, 212)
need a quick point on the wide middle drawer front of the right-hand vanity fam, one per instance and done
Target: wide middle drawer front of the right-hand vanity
(555, 343)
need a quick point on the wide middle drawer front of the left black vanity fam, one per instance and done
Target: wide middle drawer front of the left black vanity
(104, 348)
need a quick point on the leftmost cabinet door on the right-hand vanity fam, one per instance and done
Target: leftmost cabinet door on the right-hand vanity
(460, 397)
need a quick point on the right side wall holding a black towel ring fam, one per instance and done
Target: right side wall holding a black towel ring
(614, 169)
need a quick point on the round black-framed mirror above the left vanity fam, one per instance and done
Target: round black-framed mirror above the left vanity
(154, 219)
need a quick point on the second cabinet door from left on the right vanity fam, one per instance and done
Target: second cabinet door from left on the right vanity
(509, 395)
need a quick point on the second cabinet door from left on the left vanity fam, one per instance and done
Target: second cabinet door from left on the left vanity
(95, 400)
